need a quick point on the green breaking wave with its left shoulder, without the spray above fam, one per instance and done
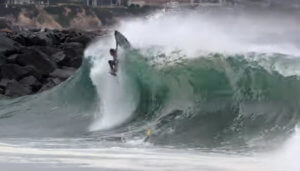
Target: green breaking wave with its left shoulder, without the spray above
(207, 101)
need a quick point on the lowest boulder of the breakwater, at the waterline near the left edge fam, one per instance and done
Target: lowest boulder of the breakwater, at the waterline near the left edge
(15, 89)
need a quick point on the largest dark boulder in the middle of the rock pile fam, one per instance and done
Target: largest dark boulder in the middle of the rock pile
(38, 60)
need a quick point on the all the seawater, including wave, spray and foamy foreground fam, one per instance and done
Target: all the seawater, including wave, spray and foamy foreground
(219, 90)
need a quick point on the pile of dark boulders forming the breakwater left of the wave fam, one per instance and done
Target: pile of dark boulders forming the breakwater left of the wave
(34, 61)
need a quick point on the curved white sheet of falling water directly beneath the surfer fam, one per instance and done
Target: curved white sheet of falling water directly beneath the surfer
(117, 95)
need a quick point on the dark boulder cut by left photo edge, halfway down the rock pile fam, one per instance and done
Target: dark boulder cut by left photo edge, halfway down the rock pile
(13, 71)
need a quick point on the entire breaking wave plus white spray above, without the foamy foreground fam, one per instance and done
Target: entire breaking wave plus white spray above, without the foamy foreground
(190, 89)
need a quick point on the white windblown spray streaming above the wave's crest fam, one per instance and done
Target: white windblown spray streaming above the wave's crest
(216, 32)
